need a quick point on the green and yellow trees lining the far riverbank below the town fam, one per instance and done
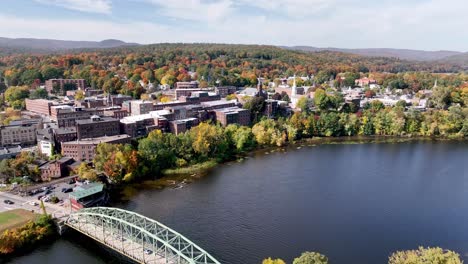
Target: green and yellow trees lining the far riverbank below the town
(212, 142)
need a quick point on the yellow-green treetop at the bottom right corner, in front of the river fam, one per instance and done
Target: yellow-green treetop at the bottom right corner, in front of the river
(425, 256)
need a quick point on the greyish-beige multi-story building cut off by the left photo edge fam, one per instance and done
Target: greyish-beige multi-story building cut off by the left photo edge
(20, 132)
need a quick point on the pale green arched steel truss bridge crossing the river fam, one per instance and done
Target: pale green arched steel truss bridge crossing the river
(139, 238)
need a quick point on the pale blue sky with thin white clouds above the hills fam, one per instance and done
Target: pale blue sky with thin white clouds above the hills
(411, 24)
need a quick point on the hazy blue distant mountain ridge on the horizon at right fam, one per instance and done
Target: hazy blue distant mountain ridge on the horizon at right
(404, 54)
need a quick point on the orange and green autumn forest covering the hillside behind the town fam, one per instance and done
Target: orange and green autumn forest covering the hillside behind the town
(121, 69)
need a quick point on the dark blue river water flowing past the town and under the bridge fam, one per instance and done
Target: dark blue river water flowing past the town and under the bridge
(355, 203)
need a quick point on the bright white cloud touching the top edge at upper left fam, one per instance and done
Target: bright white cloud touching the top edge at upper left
(91, 6)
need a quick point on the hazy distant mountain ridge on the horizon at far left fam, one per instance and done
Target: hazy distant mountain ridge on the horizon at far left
(47, 45)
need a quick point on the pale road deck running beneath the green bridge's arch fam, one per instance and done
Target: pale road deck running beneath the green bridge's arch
(128, 247)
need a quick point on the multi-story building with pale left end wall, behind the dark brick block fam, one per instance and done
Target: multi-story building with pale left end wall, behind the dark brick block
(66, 116)
